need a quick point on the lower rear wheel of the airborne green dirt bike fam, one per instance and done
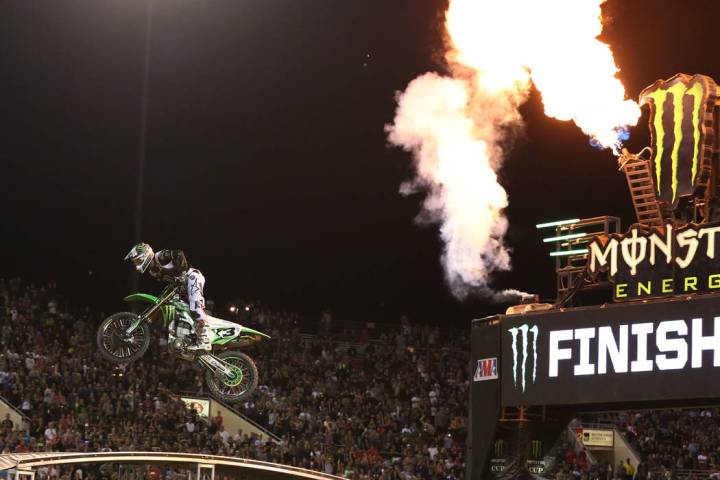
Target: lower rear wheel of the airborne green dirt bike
(241, 384)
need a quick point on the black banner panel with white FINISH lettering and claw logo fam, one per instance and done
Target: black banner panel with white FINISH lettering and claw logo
(618, 353)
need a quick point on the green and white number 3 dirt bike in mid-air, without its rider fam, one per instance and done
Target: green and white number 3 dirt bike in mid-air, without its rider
(231, 375)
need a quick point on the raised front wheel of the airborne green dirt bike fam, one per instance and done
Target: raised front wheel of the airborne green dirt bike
(116, 345)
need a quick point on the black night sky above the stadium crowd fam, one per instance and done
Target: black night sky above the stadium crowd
(267, 161)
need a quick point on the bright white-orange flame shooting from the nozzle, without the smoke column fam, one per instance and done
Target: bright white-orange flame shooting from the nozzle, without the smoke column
(553, 43)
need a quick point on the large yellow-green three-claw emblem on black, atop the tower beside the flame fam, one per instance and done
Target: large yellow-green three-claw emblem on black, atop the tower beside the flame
(678, 108)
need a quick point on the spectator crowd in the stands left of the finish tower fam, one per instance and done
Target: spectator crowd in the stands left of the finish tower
(390, 405)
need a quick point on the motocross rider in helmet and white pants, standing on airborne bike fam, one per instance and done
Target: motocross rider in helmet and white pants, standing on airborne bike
(170, 266)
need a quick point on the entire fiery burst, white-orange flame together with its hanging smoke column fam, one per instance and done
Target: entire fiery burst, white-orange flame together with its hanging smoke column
(456, 126)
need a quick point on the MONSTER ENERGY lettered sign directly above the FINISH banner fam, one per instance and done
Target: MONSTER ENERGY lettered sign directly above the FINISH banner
(659, 262)
